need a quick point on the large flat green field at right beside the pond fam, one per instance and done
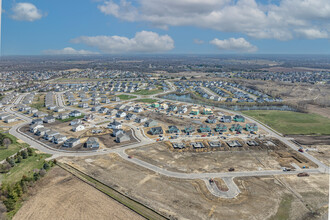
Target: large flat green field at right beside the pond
(288, 122)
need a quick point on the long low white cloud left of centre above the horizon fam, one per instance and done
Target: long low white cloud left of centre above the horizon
(142, 42)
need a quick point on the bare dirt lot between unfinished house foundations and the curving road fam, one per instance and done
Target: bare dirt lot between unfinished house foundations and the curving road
(216, 161)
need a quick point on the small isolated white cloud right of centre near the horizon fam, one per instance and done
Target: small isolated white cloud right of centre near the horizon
(234, 44)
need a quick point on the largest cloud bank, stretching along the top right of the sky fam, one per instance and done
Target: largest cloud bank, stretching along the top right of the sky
(282, 21)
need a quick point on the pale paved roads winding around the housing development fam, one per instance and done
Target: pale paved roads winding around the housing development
(226, 176)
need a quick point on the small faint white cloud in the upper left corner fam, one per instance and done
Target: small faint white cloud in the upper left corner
(25, 11)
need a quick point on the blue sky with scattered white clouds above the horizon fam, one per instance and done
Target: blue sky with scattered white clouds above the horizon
(41, 27)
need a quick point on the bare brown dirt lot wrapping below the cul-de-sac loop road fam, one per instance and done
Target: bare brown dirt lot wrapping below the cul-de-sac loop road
(187, 199)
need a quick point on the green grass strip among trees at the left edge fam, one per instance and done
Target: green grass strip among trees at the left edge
(26, 167)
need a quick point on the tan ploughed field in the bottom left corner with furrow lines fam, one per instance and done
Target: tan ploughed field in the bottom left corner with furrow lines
(61, 196)
